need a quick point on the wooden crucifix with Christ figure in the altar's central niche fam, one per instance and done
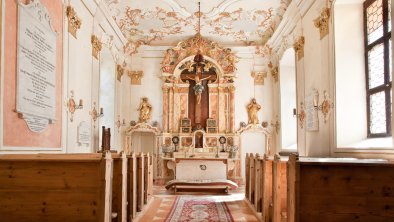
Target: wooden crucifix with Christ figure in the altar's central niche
(198, 80)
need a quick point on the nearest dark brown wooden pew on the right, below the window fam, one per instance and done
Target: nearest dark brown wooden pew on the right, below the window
(328, 189)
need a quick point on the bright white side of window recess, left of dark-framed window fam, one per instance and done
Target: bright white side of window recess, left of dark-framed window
(351, 116)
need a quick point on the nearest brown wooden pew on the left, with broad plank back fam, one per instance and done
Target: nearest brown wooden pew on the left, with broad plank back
(60, 187)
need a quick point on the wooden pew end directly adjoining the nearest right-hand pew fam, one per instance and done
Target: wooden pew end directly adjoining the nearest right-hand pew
(279, 189)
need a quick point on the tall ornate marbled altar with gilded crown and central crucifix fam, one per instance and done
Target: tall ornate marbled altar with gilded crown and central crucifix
(198, 112)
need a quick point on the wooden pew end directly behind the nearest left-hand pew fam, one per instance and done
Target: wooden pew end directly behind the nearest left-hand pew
(119, 187)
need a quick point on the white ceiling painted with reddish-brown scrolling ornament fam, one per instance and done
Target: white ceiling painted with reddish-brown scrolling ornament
(166, 22)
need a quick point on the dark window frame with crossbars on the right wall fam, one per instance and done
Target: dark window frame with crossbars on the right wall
(386, 86)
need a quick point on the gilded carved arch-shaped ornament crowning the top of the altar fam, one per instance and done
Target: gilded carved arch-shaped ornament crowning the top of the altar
(223, 56)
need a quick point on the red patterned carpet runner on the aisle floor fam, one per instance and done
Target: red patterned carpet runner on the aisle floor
(201, 209)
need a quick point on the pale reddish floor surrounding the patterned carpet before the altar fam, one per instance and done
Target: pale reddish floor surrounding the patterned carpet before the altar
(162, 201)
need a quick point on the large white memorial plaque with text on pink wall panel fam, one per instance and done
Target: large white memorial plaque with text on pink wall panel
(36, 66)
